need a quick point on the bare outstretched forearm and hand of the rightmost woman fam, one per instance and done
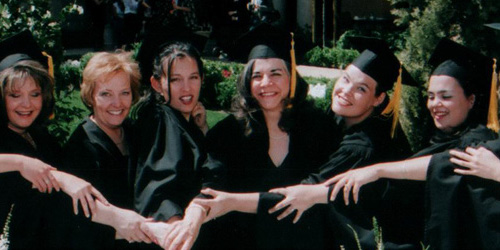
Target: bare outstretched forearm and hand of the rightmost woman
(413, 169)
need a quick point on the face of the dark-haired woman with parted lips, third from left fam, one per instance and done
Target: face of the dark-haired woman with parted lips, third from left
(185, 85)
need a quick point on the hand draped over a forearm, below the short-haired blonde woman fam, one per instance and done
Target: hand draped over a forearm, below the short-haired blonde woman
(80, 190)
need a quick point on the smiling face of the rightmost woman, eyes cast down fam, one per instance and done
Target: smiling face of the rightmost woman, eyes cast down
(447, 102)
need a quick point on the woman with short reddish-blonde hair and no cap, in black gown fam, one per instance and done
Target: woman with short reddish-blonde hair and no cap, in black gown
(101, 145)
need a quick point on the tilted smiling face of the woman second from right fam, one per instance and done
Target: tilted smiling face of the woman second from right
(354, 96)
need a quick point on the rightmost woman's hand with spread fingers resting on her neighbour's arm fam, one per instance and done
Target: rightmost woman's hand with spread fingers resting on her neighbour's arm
(352, 179)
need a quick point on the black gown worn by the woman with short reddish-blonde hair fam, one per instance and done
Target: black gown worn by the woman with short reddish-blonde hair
(91, 155)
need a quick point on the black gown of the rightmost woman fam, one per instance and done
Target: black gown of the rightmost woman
(462, 212)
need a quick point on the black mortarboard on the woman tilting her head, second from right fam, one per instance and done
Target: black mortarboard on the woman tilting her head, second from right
(379, 62)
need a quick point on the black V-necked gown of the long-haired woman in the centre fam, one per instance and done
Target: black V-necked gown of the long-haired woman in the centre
(312, 137)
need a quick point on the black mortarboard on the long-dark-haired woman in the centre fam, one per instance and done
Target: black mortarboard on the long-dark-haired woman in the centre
(263, 41)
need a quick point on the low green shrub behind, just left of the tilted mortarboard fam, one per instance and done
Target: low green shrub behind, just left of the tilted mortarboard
(330, 57)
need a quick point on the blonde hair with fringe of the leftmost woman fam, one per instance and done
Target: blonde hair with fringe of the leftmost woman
(18, 73)
